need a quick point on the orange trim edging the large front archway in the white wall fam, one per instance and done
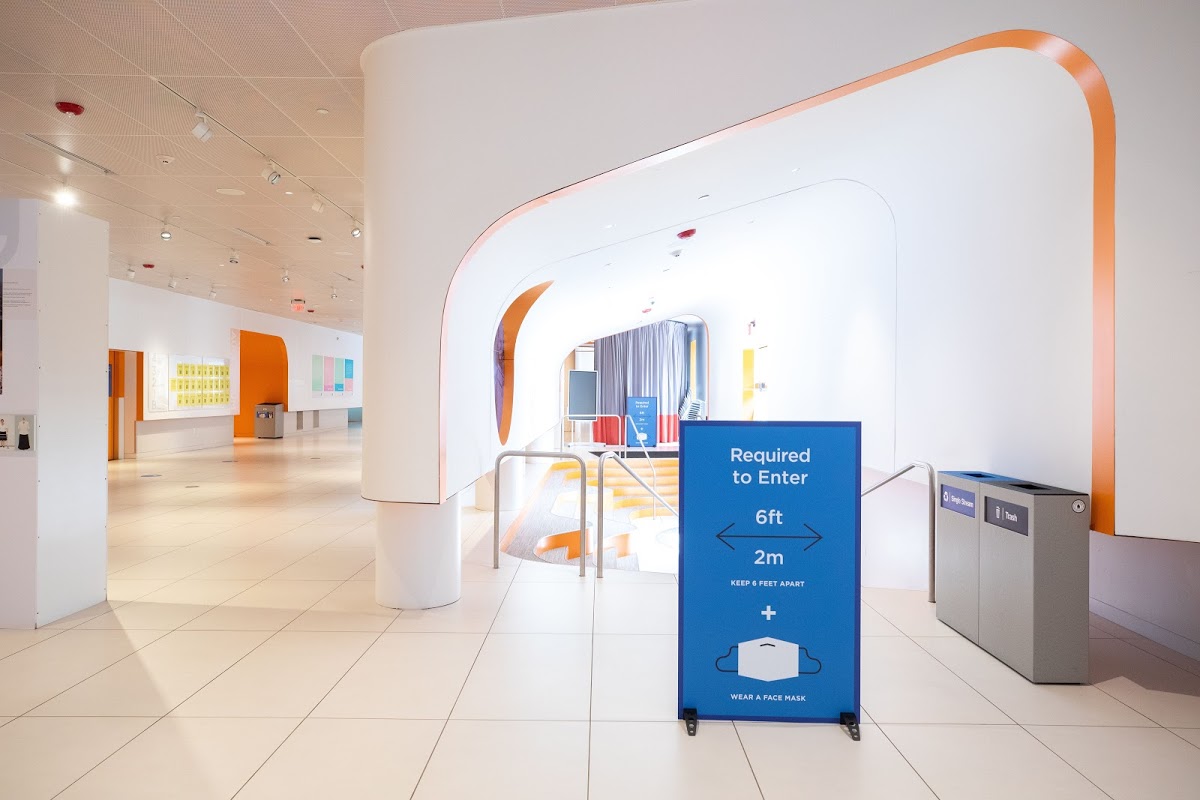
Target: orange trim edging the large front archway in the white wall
(1100, 104)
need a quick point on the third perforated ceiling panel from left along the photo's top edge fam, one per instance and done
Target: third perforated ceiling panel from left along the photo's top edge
(250, 35)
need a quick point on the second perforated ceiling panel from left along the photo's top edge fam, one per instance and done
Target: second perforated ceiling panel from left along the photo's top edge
(146, 34)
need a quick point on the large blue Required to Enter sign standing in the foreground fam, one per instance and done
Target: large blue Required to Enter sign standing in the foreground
(770, 570)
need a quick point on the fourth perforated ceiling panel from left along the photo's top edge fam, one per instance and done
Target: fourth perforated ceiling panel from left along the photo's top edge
(337, 33)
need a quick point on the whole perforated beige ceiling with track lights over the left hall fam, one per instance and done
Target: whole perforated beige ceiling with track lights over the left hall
(260, 70)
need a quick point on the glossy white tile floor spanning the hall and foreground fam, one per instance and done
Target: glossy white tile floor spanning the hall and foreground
(242, 654)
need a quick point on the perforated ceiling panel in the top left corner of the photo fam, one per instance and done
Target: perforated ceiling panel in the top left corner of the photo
(46, 37)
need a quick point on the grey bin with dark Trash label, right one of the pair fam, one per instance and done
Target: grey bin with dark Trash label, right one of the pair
(1034, 556)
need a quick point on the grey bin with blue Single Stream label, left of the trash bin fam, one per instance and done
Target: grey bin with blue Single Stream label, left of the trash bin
(957, 568)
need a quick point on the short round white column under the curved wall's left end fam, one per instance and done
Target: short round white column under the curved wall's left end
(418, 555)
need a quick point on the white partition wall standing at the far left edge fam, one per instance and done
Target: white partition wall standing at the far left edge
(53, 399)
